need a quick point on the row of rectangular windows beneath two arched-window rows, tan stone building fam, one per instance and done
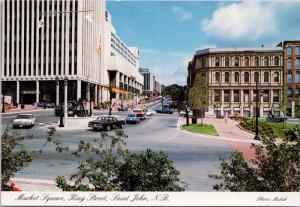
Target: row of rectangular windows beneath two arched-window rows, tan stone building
(246, 96)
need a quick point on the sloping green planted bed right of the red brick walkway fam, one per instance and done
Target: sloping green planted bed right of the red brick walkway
(267, 128)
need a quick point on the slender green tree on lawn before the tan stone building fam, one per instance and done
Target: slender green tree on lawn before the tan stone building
(199, 95)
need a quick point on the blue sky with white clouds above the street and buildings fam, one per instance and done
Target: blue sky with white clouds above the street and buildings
(168, 33)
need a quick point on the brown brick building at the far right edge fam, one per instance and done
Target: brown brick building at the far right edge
(291, 68)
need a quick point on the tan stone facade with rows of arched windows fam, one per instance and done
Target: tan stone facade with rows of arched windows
(232, 74)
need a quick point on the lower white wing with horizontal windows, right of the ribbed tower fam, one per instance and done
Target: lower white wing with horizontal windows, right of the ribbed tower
(121, 66)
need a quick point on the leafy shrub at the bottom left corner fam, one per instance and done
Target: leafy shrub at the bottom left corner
(14, 156)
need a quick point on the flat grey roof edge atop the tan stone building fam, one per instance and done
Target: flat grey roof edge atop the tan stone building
(257, 49)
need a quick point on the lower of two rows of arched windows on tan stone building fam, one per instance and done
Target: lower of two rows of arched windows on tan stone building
(266, 77)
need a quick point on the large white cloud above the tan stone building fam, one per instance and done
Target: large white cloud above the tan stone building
(250, 19)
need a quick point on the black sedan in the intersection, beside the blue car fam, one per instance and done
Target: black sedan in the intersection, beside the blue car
(106, 123)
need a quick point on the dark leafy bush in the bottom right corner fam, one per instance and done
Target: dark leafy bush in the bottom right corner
(275, 167)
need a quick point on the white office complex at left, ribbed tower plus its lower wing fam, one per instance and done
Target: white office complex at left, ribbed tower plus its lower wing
(45, 43)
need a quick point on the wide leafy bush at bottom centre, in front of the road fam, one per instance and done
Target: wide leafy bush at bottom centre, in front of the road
(106, 166)
